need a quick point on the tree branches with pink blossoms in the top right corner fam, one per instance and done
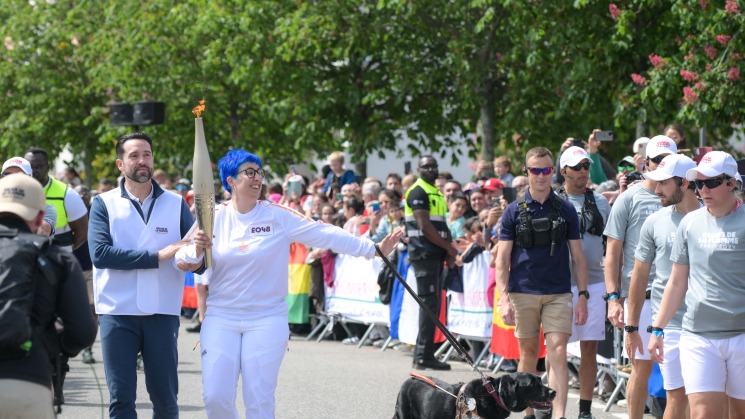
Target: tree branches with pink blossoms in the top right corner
(699, 80)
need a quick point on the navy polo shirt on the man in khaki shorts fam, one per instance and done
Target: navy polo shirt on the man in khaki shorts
(534, 271)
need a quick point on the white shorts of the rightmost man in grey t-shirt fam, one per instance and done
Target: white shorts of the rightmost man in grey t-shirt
(716, 365)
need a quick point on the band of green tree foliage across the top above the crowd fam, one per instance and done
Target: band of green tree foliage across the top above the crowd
(290, 80)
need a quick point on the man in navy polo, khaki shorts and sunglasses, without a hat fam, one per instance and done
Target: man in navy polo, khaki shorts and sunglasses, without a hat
(533, 275)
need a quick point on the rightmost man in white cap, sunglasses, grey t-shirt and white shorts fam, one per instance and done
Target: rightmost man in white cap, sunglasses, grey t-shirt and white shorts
(707, 258)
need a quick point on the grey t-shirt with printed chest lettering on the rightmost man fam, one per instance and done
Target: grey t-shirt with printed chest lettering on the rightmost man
(716, 286)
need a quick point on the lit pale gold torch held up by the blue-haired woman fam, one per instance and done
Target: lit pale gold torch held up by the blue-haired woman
(204, 182)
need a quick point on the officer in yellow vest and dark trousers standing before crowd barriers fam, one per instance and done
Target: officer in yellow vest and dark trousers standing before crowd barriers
(429, 246)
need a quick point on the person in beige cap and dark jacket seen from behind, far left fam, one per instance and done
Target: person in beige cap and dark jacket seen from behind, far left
(26, 377)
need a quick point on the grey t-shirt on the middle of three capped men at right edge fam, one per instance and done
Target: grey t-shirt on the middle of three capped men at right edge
(655, 244)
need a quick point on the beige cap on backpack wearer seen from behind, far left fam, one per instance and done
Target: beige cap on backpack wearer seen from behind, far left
(22, 195)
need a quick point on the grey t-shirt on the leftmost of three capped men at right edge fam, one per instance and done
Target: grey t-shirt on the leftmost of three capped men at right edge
(625, 223)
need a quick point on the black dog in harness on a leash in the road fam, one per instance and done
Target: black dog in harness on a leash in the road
(516, 391)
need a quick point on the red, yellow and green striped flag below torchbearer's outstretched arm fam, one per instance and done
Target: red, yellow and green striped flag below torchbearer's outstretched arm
(298, 284)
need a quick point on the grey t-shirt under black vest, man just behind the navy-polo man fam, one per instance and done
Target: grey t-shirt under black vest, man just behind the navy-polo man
(592, 245)
